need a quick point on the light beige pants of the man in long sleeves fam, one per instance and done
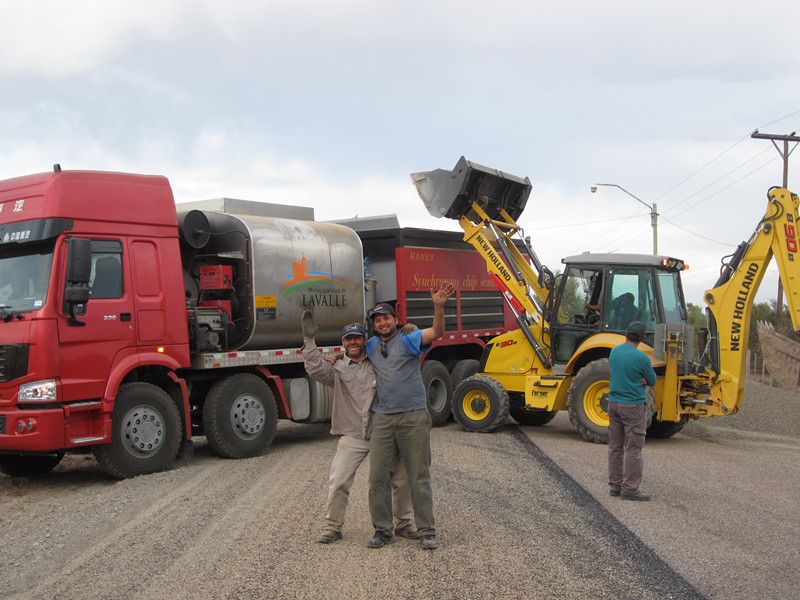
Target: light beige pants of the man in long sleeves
(350, 453)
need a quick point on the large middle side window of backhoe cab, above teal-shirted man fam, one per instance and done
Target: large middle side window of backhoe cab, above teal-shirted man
(630, 296)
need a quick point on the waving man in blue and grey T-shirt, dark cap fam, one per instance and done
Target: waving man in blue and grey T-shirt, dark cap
(401, 423)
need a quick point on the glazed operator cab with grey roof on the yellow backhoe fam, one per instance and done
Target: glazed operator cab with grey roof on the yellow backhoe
(600, 293)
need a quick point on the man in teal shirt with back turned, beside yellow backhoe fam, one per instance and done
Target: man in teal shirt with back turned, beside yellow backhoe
(631, 372)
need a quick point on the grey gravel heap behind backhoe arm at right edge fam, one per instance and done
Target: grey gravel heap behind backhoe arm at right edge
(765, 409)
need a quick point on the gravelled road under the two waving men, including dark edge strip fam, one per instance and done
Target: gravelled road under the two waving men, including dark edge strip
(512, 525)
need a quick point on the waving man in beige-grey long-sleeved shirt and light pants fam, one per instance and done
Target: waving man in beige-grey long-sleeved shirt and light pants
(353, 382)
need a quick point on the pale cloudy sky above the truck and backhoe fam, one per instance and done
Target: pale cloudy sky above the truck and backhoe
(332, 104)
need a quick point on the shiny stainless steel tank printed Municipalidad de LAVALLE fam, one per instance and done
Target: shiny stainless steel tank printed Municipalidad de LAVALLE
(293, 265)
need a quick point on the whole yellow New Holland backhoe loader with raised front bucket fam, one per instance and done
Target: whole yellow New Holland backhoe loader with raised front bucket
(558, 357)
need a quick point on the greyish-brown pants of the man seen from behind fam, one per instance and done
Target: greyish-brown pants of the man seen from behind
(626, 431)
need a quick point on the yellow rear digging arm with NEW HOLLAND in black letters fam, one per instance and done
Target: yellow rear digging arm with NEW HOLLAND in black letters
(731, 301)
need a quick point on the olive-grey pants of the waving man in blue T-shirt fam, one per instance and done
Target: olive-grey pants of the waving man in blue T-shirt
(405, 435)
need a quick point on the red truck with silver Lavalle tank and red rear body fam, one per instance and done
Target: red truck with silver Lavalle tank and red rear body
(127, 327)
